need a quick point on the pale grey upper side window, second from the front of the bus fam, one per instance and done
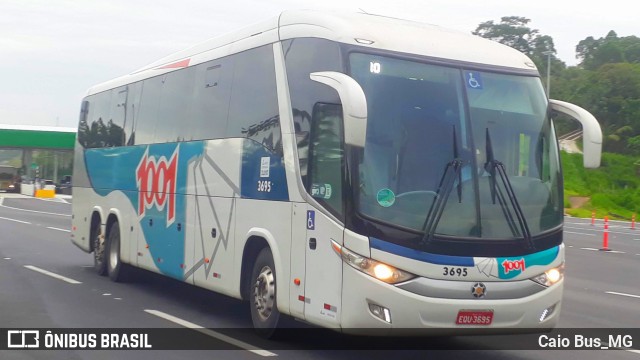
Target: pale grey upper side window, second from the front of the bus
(211, 99)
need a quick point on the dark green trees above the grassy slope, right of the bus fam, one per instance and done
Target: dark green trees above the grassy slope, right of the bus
(606, 82)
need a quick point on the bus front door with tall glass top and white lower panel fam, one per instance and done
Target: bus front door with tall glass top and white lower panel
(325, 173)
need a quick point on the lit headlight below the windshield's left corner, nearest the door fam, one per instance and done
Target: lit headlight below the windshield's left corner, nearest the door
(378, 270)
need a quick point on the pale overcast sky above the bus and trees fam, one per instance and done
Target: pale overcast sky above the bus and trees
(52, 51)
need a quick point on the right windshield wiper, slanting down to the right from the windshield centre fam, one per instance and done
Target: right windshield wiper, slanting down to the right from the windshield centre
(493, 166)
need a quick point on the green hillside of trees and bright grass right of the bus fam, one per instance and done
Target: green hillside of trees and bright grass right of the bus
(606, 82)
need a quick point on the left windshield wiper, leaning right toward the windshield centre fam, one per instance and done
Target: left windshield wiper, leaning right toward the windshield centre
(447, 181)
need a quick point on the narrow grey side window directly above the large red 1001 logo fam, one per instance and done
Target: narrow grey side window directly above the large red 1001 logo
(146, 116)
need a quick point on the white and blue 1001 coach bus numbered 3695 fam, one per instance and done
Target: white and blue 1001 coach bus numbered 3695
(349, 170)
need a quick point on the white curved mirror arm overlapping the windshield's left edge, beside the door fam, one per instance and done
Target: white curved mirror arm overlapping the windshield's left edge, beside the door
(354, 104)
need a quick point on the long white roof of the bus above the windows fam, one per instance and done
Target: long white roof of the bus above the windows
(373, 31)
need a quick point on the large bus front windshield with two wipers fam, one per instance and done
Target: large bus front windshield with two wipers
(456, 152)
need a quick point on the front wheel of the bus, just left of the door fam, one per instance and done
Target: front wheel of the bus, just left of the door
(262, 295)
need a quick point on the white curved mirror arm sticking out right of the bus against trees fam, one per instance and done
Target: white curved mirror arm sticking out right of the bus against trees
(591, 131)
